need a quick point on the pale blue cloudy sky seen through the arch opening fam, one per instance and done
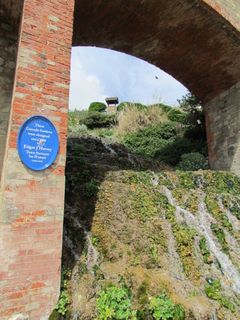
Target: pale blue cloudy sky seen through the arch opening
(99, 73)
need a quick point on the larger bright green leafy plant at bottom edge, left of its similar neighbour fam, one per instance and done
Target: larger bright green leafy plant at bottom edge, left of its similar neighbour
(115, 303)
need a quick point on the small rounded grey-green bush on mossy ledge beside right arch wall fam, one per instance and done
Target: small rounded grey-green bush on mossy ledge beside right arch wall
(192, 161)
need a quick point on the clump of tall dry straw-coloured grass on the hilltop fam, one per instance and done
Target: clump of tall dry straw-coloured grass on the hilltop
(133, 118)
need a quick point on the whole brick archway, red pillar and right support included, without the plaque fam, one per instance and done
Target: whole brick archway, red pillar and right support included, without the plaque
(197, 41)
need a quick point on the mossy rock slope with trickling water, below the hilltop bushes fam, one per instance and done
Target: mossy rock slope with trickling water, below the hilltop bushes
(134, 224)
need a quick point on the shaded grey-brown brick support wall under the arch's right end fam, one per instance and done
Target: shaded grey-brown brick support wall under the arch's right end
(223, 130)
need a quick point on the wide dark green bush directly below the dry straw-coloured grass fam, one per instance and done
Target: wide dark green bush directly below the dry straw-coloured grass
(150, 140)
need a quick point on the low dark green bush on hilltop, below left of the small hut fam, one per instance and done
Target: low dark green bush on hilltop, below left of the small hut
(98, 120)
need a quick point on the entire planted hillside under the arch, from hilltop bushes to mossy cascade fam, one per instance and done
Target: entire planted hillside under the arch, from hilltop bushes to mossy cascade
(126, 218)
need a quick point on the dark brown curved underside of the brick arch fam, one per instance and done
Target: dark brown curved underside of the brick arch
(186, 38)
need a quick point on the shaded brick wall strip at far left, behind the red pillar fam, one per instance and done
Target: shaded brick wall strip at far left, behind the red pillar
(8, 52)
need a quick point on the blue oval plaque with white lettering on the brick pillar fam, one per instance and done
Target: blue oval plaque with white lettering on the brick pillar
(38, 143)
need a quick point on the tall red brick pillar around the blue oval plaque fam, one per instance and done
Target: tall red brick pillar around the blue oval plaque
(32, 203)
